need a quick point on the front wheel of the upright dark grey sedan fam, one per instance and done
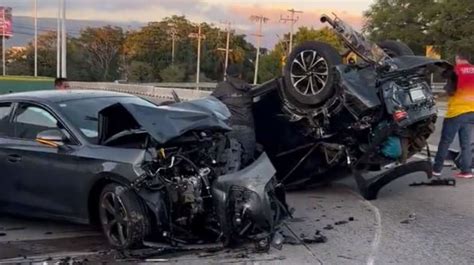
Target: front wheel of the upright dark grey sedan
(123, 217)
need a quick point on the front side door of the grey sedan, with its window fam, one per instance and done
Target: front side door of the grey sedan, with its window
(42, 177)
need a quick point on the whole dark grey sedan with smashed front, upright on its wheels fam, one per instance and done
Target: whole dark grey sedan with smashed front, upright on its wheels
(145, 173)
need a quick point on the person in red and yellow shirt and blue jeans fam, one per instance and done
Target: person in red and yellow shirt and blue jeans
(459, 117)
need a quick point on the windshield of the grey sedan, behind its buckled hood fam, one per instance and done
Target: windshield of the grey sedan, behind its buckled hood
(84, 113)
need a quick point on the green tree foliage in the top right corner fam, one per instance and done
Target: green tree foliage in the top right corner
(445, 24)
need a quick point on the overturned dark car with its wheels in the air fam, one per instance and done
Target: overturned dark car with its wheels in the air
(324, 119)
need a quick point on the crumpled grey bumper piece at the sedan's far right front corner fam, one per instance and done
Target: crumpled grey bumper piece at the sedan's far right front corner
(248, 202)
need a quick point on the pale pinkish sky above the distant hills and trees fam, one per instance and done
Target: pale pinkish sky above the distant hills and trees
(213, 11)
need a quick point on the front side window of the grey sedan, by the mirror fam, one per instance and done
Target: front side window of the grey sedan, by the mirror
(31, 120)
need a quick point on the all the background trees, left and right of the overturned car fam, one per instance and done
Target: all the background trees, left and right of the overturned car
(144, 55)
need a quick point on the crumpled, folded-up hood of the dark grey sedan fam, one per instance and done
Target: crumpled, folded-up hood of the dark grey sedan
(164, 123)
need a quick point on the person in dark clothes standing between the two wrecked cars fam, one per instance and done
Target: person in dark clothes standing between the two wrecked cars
(235, 94)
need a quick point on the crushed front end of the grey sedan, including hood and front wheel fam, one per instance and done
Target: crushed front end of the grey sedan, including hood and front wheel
(191, 179)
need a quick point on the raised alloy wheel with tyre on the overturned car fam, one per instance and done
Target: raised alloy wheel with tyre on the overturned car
(309, 74)
